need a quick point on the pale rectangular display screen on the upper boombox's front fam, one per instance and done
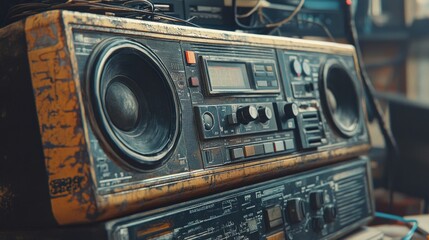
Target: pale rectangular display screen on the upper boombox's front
(226, 76)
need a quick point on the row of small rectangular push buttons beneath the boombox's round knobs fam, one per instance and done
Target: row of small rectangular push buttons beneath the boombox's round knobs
(264, 148)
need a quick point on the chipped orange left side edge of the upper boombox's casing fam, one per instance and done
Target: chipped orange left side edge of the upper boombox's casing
(59, 116)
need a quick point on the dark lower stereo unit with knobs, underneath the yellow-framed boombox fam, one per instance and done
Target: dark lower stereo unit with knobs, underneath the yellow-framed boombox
(322, 203)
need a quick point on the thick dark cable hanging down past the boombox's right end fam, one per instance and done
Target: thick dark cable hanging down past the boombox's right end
(391, 146)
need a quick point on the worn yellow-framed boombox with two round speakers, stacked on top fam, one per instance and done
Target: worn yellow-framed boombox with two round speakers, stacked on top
(103, 116)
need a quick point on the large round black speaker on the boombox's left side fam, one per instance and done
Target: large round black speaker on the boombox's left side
(134, 104)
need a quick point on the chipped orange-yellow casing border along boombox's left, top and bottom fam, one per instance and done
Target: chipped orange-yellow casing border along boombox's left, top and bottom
(75, 197)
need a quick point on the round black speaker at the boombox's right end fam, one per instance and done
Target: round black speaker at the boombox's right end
(340, 98)
